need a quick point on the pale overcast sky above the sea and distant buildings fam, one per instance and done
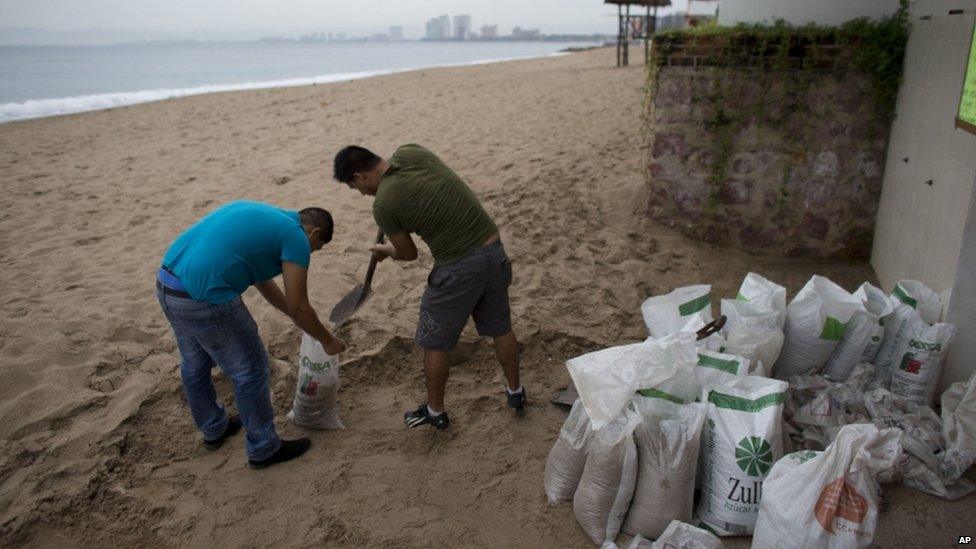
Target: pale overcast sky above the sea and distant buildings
(583, 16)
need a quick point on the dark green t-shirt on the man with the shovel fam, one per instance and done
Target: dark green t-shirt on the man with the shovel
(420, 194)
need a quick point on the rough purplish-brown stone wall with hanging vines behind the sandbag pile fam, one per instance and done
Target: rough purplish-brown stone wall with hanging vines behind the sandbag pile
(782, 160)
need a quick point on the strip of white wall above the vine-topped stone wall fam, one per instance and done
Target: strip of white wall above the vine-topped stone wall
(800, 12)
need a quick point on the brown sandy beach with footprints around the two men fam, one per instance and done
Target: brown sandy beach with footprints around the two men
(97, 443)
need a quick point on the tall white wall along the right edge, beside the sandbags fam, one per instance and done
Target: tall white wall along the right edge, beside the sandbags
(922, 231)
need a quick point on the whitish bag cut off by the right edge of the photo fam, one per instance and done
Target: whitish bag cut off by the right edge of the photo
(959, 428)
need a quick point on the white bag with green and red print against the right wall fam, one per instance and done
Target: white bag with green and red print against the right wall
(915, 373)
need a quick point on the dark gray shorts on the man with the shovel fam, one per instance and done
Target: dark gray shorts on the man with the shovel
(476, 286)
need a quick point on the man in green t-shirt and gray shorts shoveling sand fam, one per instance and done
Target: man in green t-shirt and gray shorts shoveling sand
(417, 193)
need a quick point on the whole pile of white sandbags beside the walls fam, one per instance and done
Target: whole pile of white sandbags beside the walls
(845, 377)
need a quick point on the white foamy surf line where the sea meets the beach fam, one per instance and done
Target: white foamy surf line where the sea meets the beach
(34, 109)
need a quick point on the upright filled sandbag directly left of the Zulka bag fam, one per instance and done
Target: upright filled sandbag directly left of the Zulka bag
(667, 452)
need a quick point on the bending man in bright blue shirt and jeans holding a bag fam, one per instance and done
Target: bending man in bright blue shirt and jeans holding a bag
(199, 287)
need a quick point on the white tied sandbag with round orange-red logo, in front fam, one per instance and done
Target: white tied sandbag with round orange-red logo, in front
(829, 499)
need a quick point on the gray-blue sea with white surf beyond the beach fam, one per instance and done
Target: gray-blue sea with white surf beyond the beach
(38, 81)
